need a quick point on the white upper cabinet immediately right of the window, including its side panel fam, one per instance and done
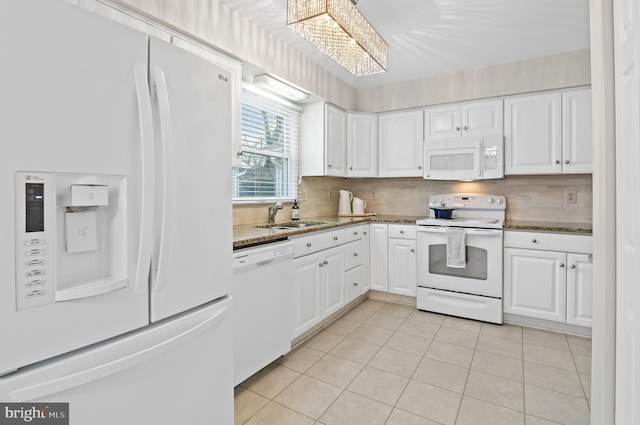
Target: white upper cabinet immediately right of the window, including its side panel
(323, 141)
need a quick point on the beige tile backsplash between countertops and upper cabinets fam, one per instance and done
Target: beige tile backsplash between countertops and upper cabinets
(536, 198)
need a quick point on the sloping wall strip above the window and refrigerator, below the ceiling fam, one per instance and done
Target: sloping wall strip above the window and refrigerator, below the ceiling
(220, 27)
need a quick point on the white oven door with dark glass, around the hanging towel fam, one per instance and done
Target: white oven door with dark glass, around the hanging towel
(482, 274)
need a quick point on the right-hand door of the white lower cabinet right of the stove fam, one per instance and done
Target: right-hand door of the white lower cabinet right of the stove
(579, 289)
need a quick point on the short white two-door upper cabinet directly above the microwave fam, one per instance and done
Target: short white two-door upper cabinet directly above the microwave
(468, 119)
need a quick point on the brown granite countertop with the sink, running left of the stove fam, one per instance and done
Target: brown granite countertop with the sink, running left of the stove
(248, 234)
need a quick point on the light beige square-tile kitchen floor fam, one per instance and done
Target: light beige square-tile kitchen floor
(385, 363)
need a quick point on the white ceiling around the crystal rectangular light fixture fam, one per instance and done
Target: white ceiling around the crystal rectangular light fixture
(435, 37)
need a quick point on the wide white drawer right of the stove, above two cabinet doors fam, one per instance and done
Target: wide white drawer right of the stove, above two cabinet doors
(548, 241)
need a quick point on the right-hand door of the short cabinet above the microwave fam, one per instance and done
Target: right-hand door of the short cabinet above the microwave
(482, 118)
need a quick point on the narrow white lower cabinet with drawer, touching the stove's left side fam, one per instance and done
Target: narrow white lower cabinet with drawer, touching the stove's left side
(402, 259)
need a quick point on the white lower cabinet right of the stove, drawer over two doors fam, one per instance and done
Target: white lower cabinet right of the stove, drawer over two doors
(548, 276)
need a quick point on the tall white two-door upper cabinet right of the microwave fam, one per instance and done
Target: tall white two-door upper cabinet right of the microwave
(548, 133)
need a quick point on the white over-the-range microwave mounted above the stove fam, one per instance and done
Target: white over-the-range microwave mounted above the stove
(469, 158)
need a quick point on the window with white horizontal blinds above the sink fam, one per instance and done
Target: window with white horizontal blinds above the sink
(270, 134)
